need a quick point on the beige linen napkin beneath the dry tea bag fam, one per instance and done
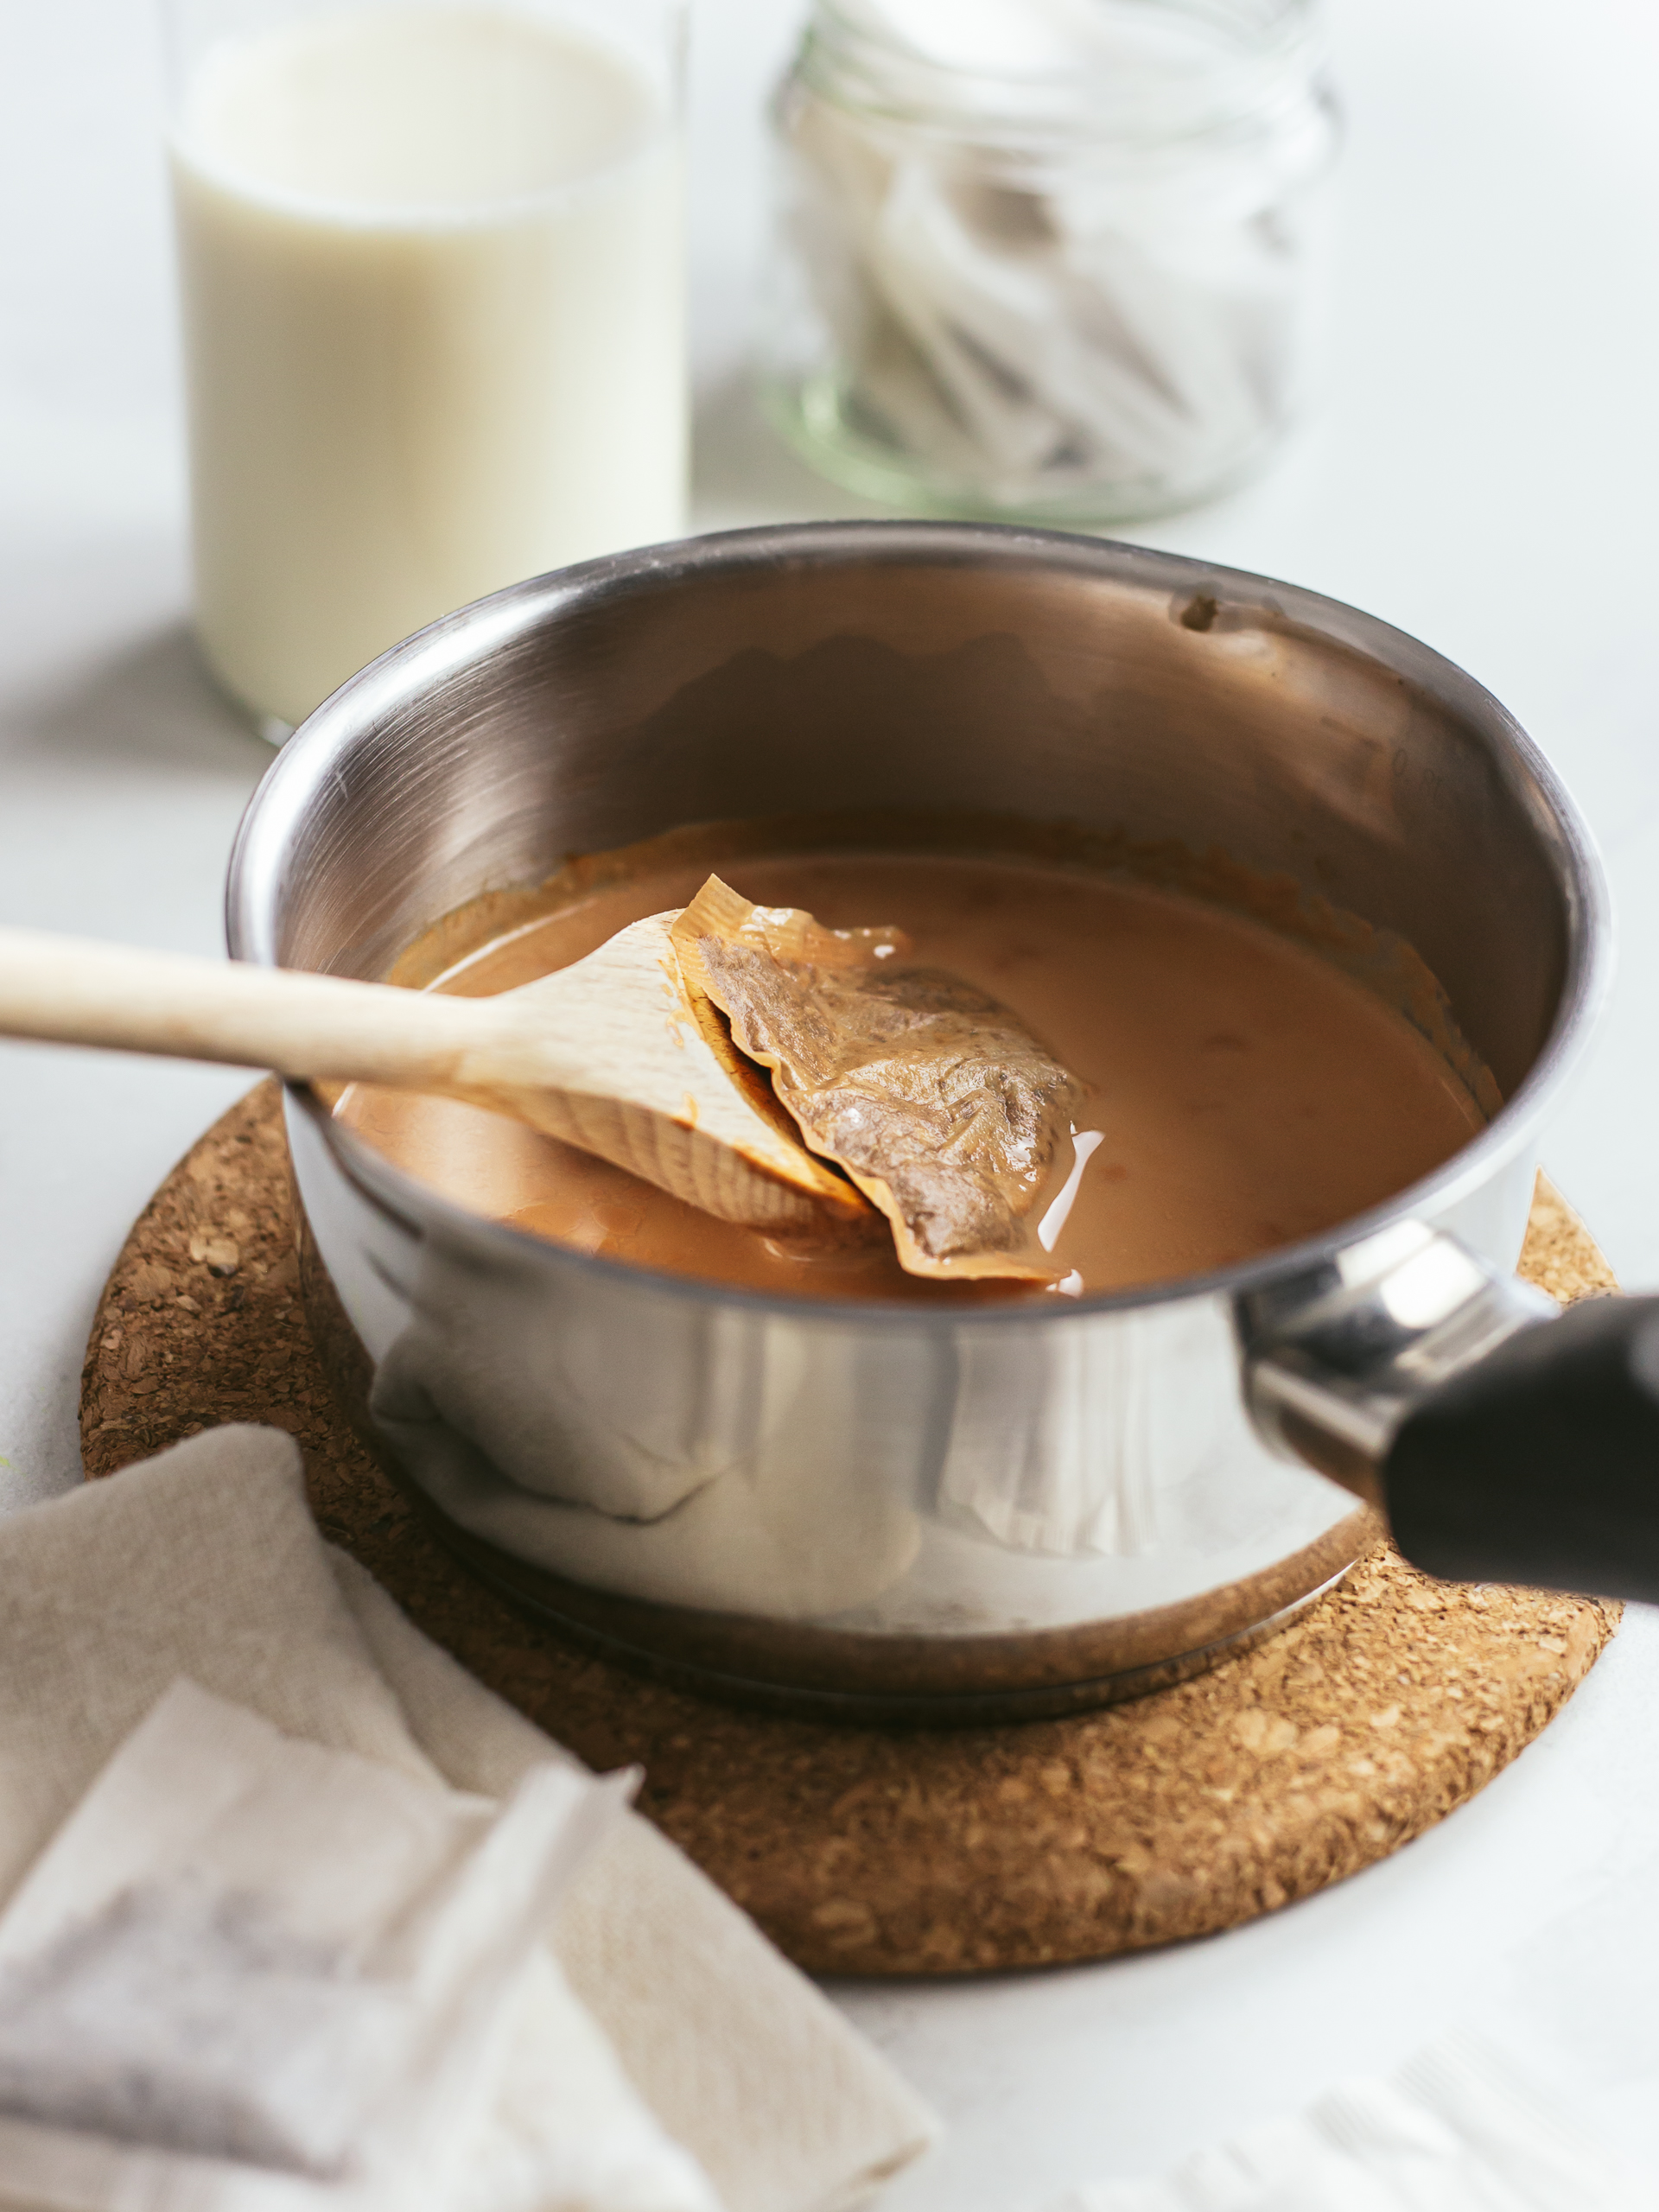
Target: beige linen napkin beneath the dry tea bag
(207, 1563)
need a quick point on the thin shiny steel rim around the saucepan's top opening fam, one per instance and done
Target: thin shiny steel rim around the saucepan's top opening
(260, 875)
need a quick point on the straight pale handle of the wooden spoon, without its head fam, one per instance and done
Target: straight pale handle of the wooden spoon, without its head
(79, 992)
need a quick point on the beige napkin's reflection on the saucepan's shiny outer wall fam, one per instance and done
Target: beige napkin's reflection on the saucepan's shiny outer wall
(662, 1448)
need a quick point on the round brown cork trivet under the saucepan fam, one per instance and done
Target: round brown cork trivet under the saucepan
(866, 1850)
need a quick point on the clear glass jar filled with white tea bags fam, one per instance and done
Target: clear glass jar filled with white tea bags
(1054, 260)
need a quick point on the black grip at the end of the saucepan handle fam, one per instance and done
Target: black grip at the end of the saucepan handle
(1541, 1463)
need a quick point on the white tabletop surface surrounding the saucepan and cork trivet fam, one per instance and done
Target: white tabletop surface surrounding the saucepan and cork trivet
(1485, 474)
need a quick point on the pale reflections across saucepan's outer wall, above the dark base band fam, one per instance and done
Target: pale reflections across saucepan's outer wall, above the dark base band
(908, 1477)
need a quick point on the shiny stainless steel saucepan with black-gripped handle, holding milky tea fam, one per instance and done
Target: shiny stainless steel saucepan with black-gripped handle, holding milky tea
(957, 1514)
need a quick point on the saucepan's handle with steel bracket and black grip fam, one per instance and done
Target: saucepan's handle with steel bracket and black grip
(1501, 1439)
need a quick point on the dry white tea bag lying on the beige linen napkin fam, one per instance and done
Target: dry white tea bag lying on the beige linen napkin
(258, 1972)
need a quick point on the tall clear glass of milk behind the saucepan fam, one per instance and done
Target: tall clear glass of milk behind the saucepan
(432, 278)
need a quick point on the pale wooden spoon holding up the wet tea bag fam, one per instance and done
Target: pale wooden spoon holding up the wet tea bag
(609, 1054)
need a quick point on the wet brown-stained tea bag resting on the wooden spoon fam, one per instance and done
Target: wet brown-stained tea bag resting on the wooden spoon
(930, 1094)
